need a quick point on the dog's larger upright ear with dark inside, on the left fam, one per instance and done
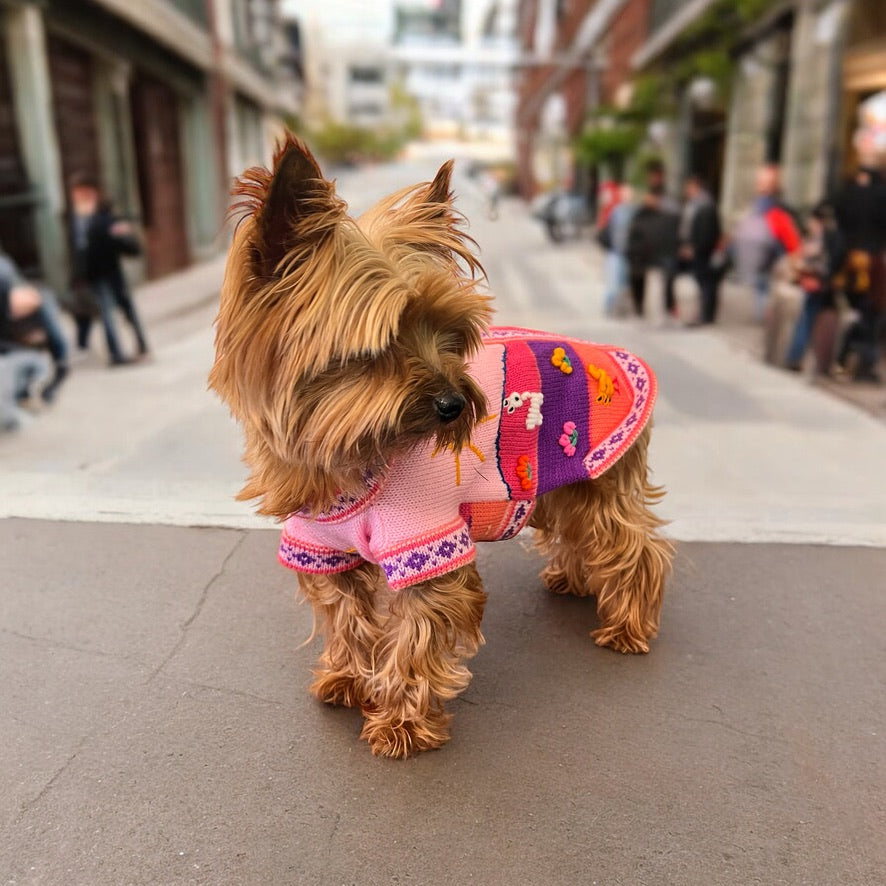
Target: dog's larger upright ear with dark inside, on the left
(288, 204)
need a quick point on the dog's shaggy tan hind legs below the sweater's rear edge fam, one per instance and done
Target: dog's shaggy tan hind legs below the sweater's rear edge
(602, 538)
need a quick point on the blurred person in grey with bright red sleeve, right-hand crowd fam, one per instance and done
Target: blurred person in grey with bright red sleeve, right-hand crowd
(764, 233)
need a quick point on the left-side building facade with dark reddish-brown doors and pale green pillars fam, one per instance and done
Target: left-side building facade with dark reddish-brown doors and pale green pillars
(160, 101)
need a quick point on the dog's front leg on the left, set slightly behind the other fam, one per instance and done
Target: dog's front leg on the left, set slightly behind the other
(346, 615)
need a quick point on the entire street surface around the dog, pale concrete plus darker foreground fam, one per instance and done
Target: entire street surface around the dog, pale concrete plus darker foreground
(158, 729)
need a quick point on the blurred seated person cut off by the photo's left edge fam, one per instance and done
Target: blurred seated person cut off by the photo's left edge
(29, 319)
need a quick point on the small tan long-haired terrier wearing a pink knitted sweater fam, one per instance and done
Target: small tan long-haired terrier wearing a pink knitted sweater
(391, 428)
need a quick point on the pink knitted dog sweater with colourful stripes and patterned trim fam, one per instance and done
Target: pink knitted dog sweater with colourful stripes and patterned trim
(560, 411)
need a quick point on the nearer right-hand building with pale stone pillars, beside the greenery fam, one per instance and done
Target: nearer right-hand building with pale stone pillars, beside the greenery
(800, 70)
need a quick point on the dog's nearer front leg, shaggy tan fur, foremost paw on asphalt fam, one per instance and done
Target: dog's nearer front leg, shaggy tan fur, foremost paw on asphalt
(419, 664)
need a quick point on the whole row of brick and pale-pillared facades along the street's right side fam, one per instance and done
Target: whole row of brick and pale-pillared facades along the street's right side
(792, 76)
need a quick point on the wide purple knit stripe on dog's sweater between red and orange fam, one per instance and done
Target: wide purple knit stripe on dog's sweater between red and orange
(566, 399)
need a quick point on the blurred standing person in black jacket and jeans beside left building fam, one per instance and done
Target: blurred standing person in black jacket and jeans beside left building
(99, 239)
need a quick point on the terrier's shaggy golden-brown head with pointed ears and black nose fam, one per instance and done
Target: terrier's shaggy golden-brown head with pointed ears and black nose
(342, 343)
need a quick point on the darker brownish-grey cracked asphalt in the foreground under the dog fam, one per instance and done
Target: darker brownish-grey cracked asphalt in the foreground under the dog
(157, 727)
